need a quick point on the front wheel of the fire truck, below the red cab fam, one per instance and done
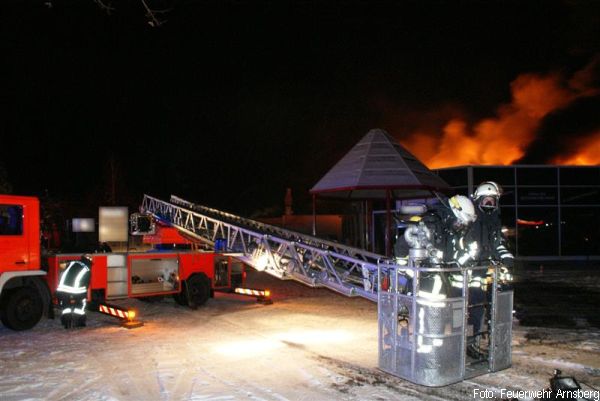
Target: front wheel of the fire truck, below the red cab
(22, 309)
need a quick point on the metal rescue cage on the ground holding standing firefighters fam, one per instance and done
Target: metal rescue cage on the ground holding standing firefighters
(432, 340)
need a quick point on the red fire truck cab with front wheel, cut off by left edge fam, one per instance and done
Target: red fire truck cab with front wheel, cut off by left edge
(24, 294)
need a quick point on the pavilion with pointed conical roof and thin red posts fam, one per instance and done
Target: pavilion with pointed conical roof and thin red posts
(378, 168)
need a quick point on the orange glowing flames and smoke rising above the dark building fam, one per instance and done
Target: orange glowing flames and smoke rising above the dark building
(503, 139)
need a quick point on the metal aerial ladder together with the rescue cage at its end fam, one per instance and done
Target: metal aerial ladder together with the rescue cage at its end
(423, 340)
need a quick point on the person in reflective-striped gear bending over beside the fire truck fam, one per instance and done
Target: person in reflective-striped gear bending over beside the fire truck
(72, 292)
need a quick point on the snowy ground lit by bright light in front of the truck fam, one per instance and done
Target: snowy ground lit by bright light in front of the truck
(311, 344)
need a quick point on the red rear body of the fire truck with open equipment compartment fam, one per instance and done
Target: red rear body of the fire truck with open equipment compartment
(190, 277)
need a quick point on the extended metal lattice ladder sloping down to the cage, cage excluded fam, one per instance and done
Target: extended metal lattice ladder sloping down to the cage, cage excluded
(282, 253)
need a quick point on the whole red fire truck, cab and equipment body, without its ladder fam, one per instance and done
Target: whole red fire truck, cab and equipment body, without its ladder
(27, 282)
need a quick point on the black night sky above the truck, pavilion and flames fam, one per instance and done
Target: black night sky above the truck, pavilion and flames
(228, 103)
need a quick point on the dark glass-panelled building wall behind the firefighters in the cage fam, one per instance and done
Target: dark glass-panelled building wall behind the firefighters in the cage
(550, 212)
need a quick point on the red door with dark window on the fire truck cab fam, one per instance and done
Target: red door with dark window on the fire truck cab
(14, 245)
